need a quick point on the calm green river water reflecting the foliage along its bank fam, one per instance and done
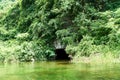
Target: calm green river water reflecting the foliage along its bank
(59, 71)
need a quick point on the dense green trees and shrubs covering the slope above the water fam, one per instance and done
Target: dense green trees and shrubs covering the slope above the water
(87, 27)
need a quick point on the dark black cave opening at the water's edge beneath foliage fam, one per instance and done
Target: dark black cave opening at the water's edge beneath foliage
(61, 54)
